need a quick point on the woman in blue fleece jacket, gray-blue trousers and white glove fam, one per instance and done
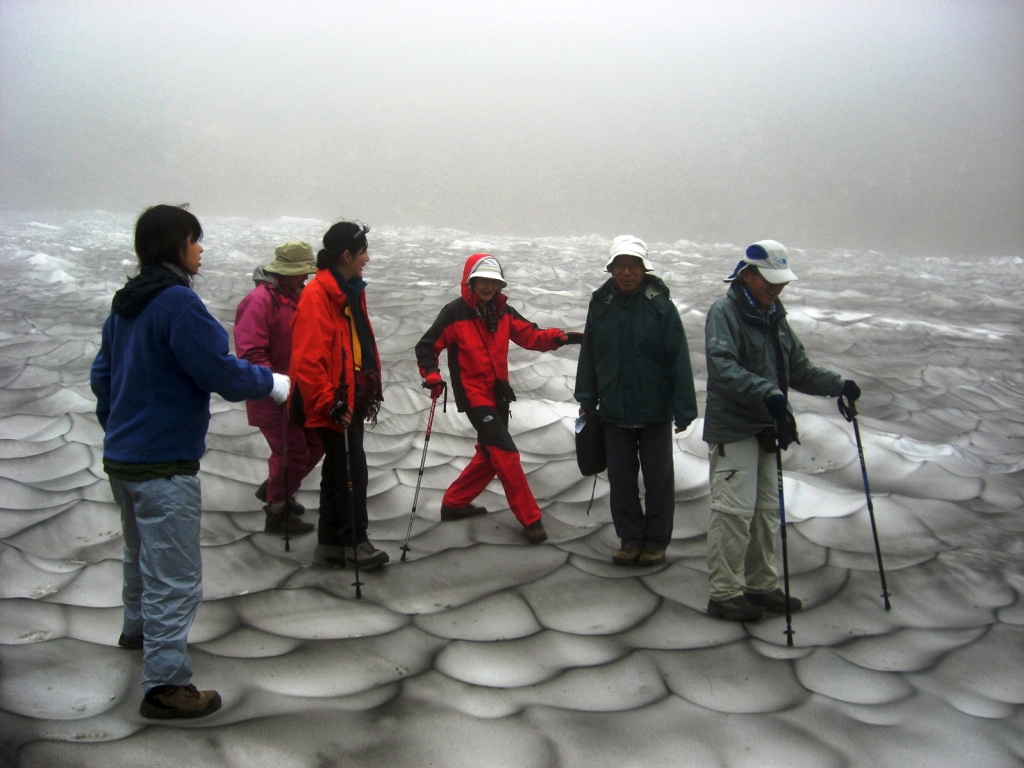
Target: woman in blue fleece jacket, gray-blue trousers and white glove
(162, 355)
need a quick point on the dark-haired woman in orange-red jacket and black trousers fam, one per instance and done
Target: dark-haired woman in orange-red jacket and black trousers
(336, 369)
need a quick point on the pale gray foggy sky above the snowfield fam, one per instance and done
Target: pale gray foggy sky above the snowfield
(889, 125)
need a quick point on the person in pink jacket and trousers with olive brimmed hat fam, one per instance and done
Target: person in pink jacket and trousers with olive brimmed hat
(264, 336)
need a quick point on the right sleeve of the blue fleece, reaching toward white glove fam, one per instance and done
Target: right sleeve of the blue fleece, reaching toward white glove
(200, 346)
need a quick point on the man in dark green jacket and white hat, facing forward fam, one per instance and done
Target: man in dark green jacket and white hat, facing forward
(635, 371)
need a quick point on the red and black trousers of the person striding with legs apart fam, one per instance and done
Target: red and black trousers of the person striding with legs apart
(496, 455)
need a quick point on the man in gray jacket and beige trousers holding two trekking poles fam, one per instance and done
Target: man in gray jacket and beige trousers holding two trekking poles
(754, 358)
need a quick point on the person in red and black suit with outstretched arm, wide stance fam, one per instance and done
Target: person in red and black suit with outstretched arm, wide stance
(476, 330)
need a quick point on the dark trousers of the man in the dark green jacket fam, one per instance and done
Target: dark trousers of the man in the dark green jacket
(630, 450)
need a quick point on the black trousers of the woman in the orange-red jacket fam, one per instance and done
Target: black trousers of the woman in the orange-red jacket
(336, 522)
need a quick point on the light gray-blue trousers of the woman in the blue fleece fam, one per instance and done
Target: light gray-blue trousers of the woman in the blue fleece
(163, 572)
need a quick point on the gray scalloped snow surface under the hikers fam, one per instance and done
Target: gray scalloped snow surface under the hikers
(482, 651)
